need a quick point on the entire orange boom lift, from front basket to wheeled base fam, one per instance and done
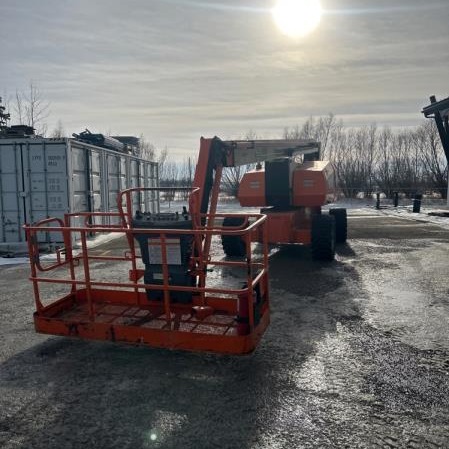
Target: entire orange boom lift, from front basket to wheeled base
(169, 299)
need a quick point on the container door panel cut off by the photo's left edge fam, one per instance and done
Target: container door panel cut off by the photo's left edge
(12, 194)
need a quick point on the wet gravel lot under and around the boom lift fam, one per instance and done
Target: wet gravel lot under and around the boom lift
(357, 355)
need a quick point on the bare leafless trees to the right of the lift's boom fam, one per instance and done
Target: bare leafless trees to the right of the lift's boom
(372, 159)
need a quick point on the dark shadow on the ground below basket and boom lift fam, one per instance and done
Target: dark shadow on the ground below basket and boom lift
(67, 393)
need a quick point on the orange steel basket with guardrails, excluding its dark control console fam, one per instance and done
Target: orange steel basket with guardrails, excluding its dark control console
(121, 311)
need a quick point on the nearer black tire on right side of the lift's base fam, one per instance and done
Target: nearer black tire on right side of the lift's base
(323, 237)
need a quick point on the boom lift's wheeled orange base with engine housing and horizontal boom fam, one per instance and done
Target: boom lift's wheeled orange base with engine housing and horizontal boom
(290, 189)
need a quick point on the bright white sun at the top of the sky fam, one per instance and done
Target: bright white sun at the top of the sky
(296, 18)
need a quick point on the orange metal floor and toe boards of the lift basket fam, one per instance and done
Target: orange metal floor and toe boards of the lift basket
(147, 325)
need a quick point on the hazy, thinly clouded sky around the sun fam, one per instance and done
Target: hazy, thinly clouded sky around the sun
(175, 70)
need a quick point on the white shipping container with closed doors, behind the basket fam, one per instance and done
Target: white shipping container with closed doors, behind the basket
(41, 178)
